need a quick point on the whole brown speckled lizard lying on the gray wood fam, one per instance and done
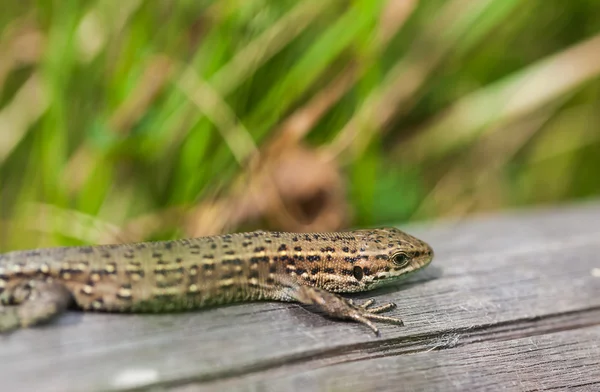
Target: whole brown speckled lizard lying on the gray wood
(178, 275)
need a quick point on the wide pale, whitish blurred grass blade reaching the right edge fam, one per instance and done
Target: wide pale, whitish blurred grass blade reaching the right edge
(504, 100)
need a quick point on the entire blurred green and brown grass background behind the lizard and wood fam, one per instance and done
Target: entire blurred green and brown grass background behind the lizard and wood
(138, 120)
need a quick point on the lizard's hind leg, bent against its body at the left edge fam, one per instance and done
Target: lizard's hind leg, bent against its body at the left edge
(36, 302)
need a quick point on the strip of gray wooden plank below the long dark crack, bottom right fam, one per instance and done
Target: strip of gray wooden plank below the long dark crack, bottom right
(567, 360)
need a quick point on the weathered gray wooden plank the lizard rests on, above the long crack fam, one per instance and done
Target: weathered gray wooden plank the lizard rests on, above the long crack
(492, 276)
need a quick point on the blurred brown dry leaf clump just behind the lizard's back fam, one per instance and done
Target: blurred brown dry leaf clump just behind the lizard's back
(293, 189)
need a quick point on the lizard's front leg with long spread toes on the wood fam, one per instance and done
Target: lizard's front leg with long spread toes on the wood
(339, 307)
